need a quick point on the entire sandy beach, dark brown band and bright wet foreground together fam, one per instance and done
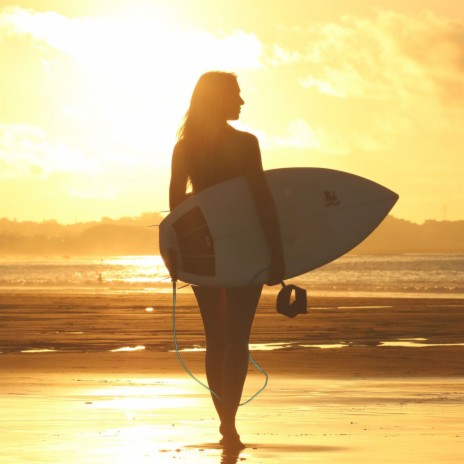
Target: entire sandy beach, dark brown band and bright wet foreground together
(93, 378)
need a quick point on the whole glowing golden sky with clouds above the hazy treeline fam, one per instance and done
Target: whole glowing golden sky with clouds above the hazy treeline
(92, 93)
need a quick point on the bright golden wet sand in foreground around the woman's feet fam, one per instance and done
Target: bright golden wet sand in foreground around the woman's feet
(117, 419)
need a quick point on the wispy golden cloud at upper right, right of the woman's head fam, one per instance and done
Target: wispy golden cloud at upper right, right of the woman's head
(389, 56)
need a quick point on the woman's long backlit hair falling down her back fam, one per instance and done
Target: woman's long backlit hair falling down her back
(204, 121)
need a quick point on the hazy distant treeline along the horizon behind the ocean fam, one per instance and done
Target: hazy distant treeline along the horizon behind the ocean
(133, 236)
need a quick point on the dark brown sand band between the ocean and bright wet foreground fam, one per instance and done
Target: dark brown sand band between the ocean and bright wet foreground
(85, 328)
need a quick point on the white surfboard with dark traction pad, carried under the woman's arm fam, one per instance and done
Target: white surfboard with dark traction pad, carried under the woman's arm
(216, 239)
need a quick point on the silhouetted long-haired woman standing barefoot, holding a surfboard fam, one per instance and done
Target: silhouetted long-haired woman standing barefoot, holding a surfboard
(210, 151)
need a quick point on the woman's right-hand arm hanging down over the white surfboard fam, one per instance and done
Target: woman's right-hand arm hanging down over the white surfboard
(267, 213)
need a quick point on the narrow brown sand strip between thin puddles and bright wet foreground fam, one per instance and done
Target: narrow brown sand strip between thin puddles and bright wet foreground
(345, 363)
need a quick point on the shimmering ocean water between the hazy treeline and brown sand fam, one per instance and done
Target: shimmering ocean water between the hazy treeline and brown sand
(425, 275)
